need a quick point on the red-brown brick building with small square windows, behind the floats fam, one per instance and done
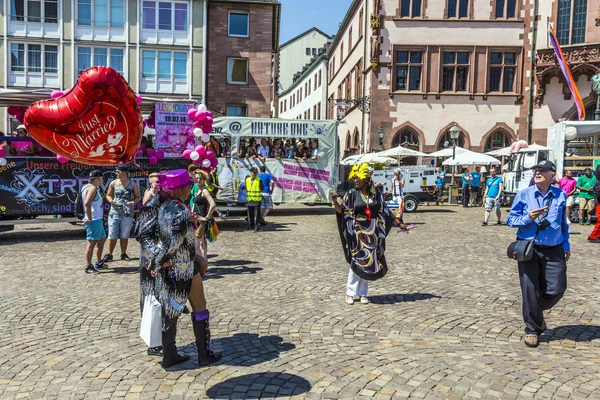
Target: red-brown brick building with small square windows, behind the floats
(243, 37)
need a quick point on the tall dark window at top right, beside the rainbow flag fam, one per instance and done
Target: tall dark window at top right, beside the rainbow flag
(571, 21)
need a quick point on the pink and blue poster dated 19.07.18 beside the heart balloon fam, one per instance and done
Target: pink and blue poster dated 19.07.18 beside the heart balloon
(174, 130)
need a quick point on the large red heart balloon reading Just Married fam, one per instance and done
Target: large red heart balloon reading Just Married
(97, 122)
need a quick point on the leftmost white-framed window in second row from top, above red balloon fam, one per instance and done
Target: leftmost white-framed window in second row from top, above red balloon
(33, 58)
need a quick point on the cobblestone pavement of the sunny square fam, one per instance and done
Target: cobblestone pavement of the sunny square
(444, 323)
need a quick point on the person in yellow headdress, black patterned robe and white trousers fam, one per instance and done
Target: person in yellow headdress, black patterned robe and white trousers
(364, 221)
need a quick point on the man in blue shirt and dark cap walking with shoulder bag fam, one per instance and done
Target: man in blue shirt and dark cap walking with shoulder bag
(541, 209)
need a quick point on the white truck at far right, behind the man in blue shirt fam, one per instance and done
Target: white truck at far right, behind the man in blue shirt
(520, 167)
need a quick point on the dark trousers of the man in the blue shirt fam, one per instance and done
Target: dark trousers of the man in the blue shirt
(543, 282)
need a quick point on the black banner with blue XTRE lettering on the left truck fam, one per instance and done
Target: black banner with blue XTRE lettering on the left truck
(38, 186)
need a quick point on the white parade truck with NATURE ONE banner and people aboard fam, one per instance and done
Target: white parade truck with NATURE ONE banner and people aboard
(296, 181)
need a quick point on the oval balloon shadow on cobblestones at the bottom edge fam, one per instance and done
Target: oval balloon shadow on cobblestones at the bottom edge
(260, 385)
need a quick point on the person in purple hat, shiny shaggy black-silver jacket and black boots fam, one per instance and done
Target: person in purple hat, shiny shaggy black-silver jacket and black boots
(170, 268)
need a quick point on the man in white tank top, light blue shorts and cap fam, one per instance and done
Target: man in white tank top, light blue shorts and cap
(94, 225)
